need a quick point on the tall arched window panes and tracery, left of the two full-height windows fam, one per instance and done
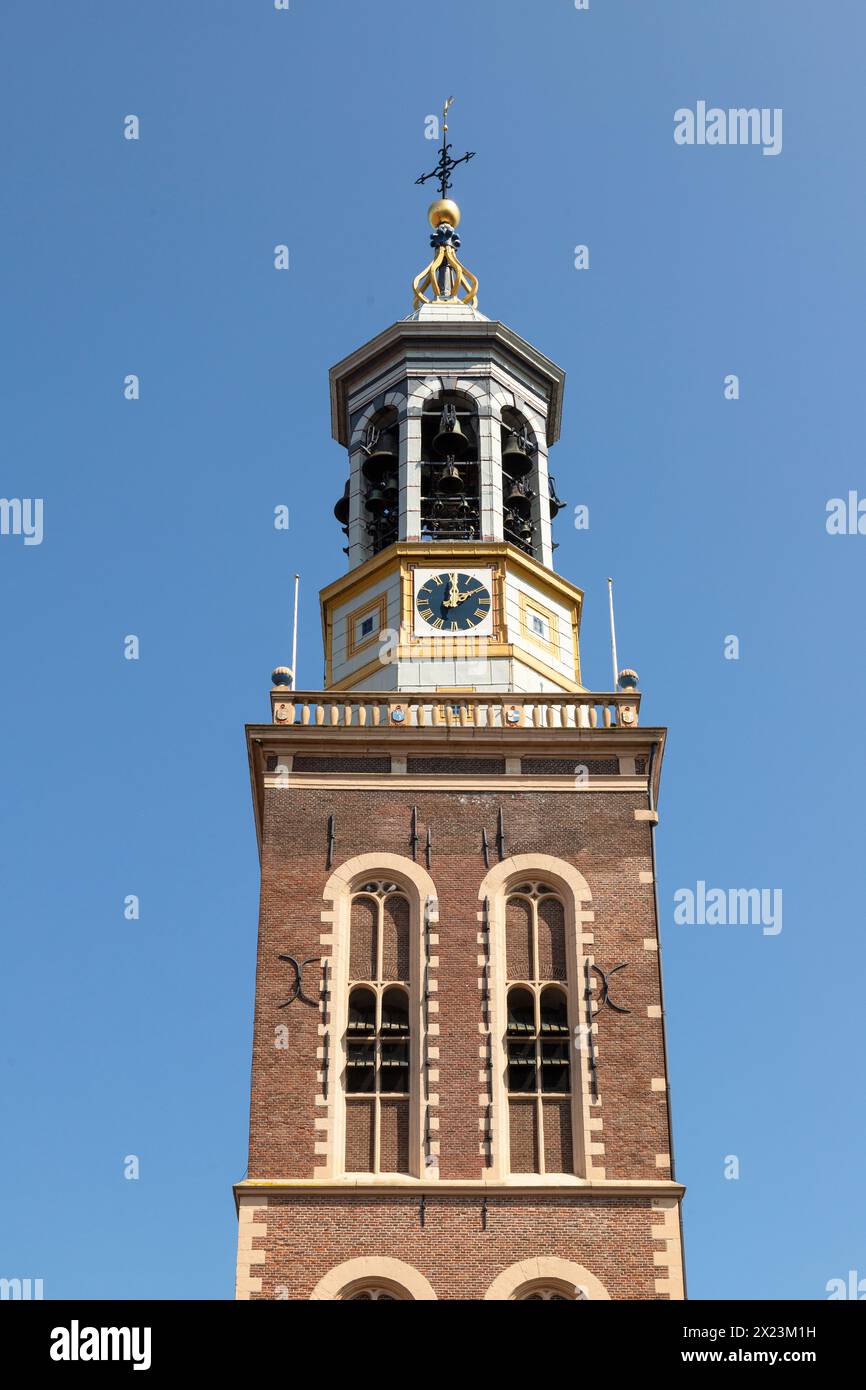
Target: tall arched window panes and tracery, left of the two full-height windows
(379, 1032)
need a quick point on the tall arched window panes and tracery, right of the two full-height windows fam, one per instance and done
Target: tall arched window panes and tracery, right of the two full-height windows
(539, 1033)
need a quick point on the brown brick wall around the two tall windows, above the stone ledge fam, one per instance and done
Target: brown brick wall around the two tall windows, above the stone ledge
(596, 832)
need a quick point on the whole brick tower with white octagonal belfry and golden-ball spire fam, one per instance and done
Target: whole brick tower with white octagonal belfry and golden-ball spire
(459, 1079)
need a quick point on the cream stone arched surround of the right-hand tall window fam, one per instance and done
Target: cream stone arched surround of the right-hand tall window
(576, 894)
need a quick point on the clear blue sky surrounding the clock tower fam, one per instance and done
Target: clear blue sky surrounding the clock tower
(130, 778)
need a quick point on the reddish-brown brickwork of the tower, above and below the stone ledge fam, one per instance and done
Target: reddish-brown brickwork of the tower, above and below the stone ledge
(311, 1234)
